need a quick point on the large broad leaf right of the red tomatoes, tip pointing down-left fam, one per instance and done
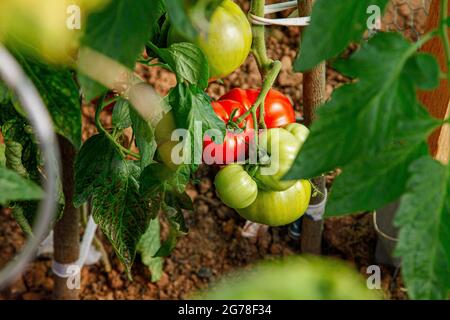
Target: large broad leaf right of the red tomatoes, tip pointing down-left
(363, 117)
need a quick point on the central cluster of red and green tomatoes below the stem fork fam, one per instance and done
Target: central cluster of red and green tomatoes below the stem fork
(255, 190)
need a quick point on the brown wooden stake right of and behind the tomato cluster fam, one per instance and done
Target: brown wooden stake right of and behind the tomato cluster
(313, 96)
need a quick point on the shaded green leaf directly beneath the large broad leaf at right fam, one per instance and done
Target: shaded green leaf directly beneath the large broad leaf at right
(370, 183)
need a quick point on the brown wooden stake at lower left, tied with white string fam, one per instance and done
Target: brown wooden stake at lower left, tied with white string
(66, 237)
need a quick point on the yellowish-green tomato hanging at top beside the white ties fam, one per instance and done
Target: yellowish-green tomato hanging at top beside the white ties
(226, 43)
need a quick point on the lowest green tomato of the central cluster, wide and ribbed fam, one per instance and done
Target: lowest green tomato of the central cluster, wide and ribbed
(278, 208)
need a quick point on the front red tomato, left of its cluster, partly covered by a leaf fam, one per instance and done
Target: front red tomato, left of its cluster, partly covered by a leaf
(235, 145)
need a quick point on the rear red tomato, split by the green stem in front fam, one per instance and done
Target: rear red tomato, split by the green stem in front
(278, 108)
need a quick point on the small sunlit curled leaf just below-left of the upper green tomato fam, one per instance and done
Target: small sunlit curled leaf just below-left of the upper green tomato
(187, 61)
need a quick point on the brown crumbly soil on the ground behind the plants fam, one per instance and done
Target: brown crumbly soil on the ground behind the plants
(214, 245)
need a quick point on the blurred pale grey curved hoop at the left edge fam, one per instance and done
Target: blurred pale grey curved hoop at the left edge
(15, 78)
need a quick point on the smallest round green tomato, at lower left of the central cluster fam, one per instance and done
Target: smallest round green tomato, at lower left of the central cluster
(235, 187)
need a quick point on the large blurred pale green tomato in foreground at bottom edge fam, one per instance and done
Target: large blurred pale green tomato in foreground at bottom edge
(294, 278)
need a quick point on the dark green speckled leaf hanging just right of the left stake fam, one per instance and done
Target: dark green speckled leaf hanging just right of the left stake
(112, 182)
